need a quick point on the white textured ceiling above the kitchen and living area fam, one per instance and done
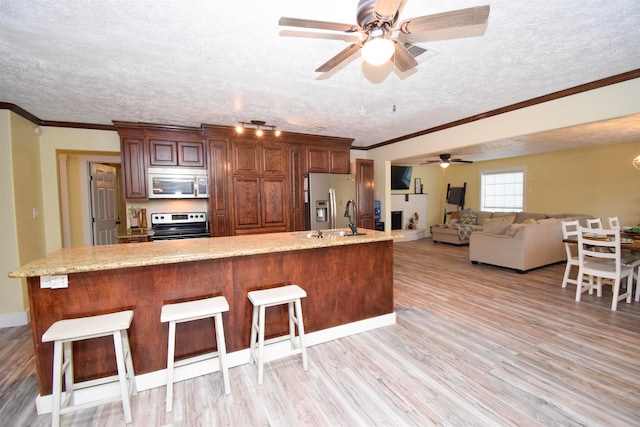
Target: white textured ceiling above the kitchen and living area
(203, 61)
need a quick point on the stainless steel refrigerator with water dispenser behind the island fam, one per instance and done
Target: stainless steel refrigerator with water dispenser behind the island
(326, 196)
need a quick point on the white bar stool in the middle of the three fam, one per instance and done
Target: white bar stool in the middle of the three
(186, 312)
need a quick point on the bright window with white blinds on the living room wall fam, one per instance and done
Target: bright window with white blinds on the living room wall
(502, 191)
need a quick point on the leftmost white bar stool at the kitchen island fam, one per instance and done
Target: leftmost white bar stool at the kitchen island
(63, 333)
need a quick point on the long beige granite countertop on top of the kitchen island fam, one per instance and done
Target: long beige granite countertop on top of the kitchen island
(95, 258)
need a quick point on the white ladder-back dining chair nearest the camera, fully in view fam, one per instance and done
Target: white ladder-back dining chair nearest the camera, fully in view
(600, 256)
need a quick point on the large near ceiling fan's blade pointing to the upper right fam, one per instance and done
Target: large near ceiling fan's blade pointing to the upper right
(457, 18)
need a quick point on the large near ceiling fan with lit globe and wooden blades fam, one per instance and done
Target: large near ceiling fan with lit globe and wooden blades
(378, 20)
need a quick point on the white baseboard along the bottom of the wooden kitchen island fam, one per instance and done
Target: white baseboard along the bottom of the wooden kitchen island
(279, 349)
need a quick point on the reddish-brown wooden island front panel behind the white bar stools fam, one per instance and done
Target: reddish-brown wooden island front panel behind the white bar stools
(344, 284)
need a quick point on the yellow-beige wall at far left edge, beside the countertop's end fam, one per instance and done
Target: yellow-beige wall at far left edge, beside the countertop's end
(21, 241)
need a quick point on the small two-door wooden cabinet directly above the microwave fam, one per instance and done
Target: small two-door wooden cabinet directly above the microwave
(176, 153)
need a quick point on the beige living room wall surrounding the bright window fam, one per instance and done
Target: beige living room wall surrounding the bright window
(599, 181)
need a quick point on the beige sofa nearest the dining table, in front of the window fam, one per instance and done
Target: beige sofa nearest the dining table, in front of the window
(521, 246)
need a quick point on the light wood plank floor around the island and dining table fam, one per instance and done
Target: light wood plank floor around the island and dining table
(474, 345)
